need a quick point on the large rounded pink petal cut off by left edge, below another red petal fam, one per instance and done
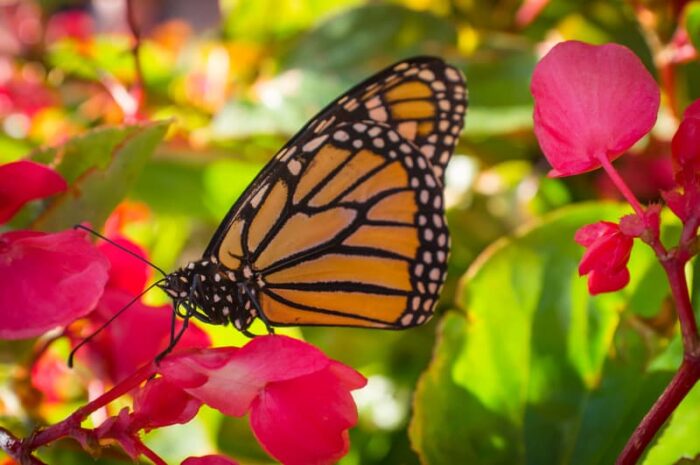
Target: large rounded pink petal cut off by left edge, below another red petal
(47, 280)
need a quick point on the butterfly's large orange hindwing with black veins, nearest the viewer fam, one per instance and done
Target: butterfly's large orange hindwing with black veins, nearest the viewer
(350, 233)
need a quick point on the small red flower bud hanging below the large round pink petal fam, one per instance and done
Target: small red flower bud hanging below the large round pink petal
(605, 261)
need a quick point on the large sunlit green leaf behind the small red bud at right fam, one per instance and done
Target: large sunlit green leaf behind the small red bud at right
(537, 371)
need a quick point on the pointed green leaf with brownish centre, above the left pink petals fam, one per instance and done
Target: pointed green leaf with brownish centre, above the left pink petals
(100, 167)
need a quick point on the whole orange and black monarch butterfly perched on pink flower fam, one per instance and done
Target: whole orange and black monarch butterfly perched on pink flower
(345, 226)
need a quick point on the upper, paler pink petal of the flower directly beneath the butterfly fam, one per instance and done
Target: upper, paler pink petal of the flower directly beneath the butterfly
(229, 379)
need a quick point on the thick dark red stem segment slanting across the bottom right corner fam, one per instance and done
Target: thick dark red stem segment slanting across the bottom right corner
(675, 392)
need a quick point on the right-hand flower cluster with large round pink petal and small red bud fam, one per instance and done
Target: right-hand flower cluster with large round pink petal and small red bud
(592, 103)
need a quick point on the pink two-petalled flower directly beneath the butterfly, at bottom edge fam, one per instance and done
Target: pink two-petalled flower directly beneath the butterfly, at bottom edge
(299, 399)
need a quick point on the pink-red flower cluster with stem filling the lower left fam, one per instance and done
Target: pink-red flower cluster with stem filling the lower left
(298, 400)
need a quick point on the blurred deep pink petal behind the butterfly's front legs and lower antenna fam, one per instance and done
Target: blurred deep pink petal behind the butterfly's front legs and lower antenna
(136, 337)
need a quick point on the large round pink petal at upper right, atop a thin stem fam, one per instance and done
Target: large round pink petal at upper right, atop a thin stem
(590, 102)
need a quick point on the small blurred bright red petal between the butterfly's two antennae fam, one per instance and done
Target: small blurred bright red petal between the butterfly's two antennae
(127, 272)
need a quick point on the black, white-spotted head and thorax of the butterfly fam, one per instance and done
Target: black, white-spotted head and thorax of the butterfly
(212, 293)
